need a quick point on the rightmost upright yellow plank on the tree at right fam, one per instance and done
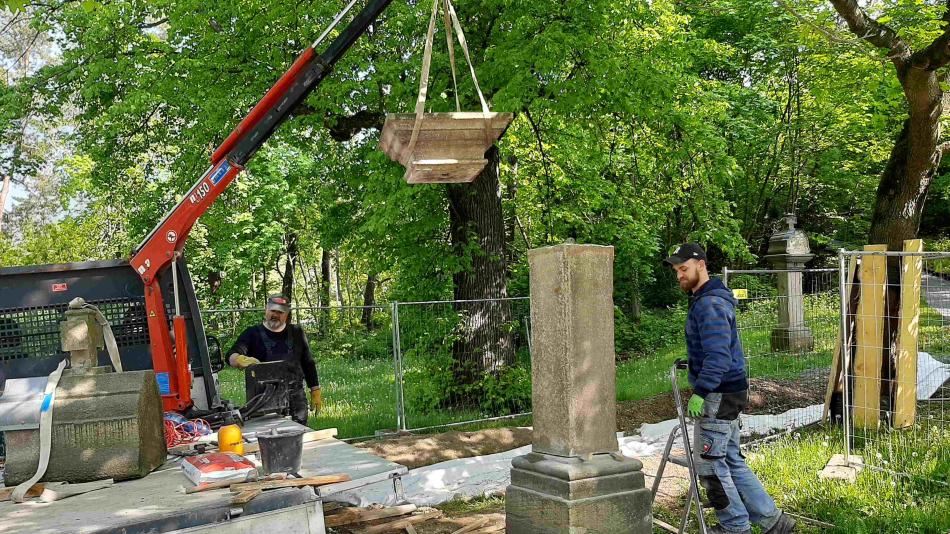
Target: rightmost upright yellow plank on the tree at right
(905, 405)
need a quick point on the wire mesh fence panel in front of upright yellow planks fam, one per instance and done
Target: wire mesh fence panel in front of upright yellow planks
(895, 311)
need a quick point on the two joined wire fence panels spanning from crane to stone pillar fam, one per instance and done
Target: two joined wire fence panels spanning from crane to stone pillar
(428, 364)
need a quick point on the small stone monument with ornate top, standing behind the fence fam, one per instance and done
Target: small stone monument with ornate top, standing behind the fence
(788, 253)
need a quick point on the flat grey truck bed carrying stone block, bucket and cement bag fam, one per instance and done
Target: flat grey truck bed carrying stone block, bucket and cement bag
(157, 502)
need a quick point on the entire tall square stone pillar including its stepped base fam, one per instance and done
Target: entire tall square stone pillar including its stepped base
(575, 480)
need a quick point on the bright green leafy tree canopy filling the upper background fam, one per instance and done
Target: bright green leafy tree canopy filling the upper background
(638, 124)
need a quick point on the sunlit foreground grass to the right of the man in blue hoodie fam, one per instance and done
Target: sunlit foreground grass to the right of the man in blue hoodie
(877, 501)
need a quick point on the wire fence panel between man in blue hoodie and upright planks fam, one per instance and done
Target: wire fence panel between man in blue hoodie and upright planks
(788, 323)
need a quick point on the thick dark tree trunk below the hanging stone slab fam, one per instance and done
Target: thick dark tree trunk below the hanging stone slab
(484, 344)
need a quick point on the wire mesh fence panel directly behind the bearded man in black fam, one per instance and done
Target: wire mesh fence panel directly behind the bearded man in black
(353, 347)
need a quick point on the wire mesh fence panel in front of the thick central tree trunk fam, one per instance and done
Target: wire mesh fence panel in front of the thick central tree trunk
(463, 361)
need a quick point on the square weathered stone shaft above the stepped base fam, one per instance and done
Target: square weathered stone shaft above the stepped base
(573, 361)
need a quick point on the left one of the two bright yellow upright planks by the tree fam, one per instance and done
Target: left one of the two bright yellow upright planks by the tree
(870, 336)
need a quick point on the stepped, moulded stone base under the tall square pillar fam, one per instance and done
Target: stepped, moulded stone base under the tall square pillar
(601, 495)
